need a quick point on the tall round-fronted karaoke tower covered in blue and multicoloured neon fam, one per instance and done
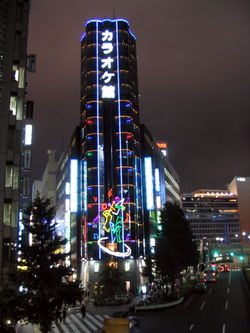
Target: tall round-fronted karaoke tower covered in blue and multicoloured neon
(111, 193)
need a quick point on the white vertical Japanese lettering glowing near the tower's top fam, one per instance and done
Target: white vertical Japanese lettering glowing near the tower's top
(106, 66)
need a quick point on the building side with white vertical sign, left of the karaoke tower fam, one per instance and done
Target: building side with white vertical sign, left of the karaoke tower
(68, 215)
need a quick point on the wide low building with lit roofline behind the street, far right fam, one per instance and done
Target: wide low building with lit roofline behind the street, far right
(213, 215)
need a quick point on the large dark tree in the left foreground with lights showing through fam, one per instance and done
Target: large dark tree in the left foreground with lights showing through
(42, 276)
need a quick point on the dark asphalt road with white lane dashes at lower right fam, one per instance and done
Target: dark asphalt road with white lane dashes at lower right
(223, 309)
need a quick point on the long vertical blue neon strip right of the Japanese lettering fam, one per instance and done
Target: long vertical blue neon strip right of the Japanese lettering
(119, 123)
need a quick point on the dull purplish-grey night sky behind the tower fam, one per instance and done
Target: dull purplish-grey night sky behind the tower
(194, 80)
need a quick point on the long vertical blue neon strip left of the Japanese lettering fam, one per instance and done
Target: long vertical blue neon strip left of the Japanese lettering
(98, 134)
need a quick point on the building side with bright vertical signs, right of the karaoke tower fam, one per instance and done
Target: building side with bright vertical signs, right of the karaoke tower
(160, 184)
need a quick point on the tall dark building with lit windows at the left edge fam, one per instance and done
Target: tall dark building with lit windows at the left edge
(15, 128)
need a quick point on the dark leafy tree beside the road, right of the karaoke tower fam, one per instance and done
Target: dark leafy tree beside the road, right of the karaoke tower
(175, 248)
